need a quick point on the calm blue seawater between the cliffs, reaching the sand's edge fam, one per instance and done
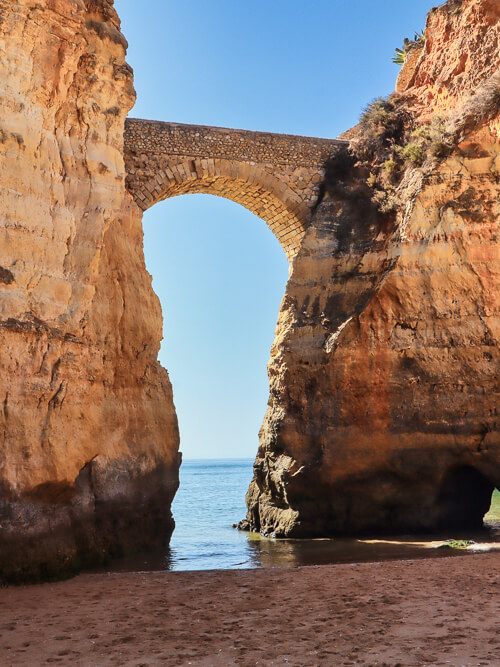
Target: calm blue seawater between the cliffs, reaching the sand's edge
(211, 498)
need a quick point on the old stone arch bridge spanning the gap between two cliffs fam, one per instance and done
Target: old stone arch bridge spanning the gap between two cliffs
(276, 176)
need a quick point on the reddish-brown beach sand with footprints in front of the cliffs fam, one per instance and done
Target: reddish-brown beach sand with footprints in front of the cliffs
(442, 611)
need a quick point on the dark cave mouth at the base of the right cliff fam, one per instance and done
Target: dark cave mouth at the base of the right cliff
(464, 498)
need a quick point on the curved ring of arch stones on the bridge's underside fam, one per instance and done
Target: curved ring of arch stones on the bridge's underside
(249, 185)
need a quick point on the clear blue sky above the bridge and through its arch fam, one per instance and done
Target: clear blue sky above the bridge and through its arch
(275, 65)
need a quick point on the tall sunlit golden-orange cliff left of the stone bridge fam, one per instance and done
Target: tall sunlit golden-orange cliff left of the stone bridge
(88, 432)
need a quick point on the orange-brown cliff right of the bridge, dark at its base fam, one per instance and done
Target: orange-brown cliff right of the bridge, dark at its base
(384, 393)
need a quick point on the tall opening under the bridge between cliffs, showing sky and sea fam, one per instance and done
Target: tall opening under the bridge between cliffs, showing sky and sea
(220, 275)
